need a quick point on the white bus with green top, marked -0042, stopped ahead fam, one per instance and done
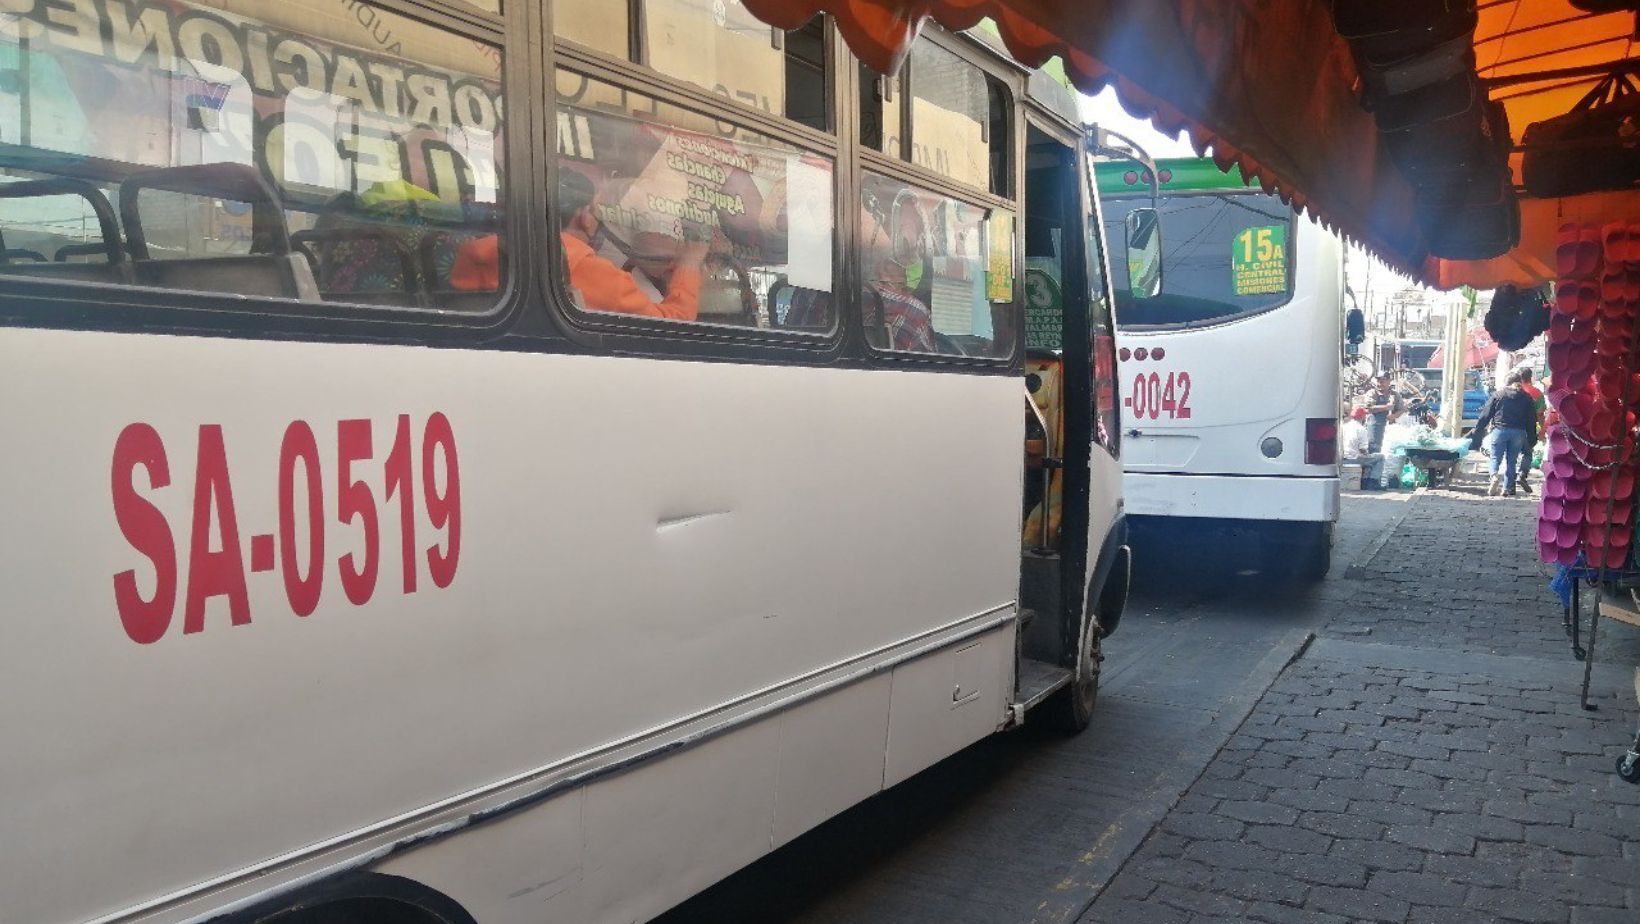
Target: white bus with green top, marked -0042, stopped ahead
(1231, 367)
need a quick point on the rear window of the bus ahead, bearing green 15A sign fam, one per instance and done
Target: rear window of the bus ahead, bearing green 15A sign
(1226, 257)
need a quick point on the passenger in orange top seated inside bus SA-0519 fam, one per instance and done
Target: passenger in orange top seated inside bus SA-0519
(603, 286)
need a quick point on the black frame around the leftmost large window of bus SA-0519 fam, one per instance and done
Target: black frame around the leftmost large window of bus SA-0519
(142, 309)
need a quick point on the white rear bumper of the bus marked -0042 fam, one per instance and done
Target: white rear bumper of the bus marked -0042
(1231, 498)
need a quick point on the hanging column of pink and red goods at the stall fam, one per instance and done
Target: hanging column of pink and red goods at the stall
(1590, 465)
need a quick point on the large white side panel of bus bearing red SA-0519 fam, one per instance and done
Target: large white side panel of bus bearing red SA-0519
(640, 541)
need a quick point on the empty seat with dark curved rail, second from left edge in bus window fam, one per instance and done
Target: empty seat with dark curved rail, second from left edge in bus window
(273, 268)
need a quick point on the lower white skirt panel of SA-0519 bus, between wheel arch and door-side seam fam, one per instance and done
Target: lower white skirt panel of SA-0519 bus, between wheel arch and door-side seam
(673, 826)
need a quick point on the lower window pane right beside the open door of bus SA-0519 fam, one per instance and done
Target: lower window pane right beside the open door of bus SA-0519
(922, 257)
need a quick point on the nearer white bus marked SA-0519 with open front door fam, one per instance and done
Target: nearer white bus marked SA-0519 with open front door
(435, 500)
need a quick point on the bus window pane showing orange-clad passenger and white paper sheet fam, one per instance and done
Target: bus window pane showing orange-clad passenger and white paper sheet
(673, 214)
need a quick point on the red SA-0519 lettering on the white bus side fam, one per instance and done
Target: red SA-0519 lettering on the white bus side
(142, 469)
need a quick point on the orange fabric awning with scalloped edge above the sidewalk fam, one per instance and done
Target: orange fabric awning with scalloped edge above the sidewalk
(1269, 88)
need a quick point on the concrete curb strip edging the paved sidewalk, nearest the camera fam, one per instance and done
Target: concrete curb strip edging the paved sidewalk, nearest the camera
(1129, 831)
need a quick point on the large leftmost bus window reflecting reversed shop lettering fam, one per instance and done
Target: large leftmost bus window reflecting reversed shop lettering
(306, 152)
